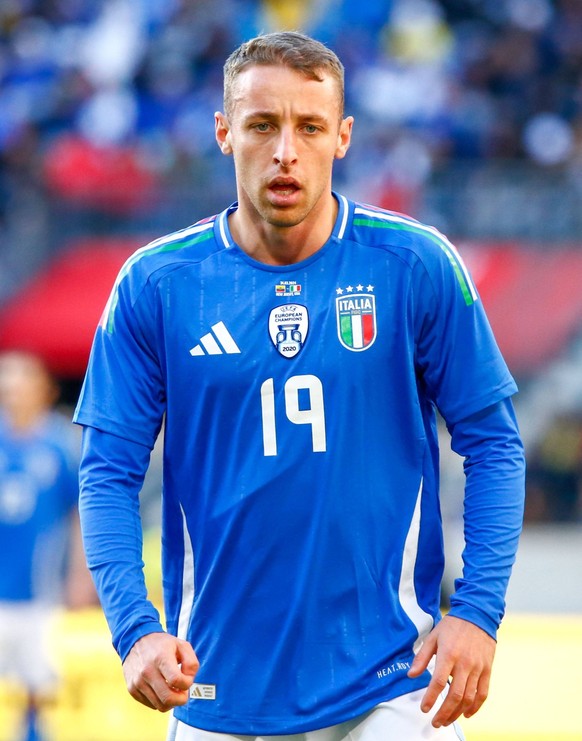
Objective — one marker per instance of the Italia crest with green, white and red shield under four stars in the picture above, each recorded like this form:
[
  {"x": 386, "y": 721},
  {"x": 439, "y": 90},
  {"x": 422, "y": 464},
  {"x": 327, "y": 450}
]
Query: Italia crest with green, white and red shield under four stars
[{"x": 356, "y": 318}]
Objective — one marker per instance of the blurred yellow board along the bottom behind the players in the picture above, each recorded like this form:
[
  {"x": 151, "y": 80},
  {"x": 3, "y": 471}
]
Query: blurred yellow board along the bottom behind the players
[{"x": 534, "y": 692}]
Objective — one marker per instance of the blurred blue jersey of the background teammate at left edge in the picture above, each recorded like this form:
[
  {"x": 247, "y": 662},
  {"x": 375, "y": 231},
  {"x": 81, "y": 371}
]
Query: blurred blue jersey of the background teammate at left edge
[{"x": 38, "y": 490}]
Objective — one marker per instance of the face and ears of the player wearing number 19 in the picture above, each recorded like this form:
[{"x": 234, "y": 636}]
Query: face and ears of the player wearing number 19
[{"x": 284, "y": 132}]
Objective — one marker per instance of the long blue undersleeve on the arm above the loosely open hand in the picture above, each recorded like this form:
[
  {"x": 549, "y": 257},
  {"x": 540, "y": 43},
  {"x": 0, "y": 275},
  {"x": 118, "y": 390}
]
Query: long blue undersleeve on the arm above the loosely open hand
[{"x": 494, "y": 468}]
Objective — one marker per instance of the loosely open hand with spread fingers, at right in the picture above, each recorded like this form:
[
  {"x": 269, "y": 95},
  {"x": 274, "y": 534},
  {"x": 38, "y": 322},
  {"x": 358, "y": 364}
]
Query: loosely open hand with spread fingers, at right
[{"x": 464, "y": 652}]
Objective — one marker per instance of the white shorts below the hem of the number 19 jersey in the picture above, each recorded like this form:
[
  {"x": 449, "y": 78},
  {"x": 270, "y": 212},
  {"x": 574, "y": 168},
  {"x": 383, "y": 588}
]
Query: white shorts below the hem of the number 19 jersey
[{"x": 396, "y": 720}]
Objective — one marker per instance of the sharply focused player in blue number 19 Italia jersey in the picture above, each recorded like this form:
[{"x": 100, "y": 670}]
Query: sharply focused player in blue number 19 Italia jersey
[{"x": 295, "y": 348}]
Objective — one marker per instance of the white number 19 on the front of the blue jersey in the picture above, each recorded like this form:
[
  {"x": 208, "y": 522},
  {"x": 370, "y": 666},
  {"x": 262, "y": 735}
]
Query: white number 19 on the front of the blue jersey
[{"x": 314, "y": 415}]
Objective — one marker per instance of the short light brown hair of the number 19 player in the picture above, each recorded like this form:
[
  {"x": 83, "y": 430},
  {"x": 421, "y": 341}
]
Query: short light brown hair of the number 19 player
[{"x": 287, "y": 48}]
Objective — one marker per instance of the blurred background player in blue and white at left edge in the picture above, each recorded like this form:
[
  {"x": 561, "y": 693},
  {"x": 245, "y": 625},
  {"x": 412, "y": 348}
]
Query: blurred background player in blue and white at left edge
[{"x": 39, "y": 531}]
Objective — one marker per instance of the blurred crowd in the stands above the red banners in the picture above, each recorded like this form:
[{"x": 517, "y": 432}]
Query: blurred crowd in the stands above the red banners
[{"x": 107, "y": 105}]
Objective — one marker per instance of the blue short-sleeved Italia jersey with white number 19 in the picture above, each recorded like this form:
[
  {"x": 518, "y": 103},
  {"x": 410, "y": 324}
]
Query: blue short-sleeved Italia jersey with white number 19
[{"x": 302, "y": 540}]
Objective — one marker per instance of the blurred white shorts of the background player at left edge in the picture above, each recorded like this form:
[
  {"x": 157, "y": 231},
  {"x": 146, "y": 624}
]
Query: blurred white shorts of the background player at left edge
[{"x": 24, "y": 654}]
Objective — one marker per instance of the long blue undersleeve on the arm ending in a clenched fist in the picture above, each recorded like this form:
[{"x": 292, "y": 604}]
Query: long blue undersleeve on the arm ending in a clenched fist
[{"x": 111, "y": 475}]
